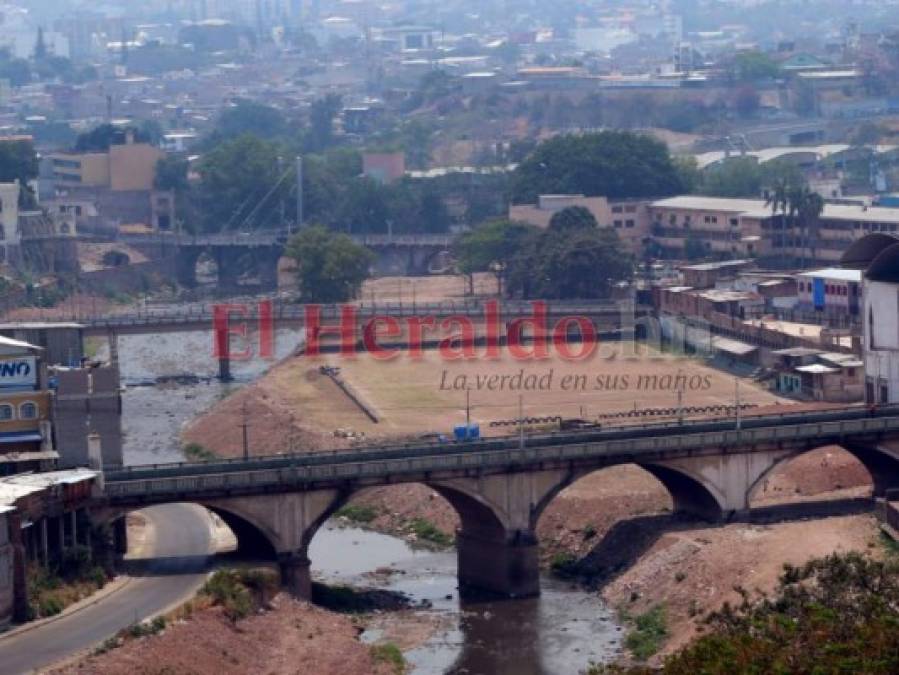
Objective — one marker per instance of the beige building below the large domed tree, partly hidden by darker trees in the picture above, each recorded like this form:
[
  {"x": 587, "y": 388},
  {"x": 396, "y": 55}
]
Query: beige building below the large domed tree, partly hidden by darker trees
[{"x": 629, "y": 218}]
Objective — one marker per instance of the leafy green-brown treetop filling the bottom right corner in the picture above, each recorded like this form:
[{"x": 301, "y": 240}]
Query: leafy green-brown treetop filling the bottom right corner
[{"x": 833, "y": 615}]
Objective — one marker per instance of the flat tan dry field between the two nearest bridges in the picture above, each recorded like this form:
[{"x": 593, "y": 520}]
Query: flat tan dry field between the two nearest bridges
[{"x": 429, "y": 395}]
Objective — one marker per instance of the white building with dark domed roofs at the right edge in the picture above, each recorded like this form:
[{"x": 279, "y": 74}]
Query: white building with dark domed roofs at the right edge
[{"x": 877, "y": 255}]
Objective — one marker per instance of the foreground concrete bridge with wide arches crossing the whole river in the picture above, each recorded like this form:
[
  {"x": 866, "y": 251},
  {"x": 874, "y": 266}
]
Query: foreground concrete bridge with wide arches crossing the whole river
[{"x": 500, "y": 487}]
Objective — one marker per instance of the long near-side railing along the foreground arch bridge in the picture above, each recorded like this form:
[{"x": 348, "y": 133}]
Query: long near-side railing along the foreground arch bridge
[{"x": 627, "y": 450}]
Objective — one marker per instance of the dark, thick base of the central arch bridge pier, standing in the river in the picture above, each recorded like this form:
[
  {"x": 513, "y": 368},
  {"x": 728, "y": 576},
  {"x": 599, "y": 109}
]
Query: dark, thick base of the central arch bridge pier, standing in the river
[{"x": 506, "y": 568}]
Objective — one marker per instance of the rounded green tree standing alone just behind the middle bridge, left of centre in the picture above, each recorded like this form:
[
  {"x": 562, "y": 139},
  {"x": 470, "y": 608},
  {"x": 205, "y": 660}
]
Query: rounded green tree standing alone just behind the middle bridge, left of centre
[{"x": 331, "y": 268}]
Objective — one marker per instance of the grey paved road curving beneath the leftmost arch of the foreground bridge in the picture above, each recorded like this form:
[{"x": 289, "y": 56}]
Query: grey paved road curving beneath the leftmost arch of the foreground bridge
[{"x": 180, "y": 556}]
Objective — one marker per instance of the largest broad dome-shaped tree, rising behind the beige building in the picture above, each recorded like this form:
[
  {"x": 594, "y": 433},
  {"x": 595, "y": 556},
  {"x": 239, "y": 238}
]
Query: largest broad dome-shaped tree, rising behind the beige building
[{"x": 614, "y": 164}]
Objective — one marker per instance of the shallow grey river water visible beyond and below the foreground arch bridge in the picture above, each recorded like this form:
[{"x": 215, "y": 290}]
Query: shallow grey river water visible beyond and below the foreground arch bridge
[{"x": 559, "y": 633}]
